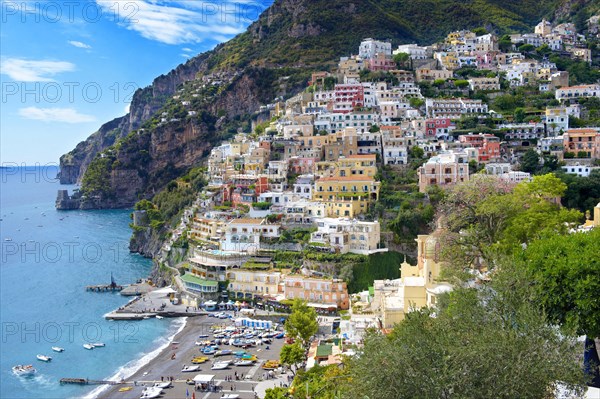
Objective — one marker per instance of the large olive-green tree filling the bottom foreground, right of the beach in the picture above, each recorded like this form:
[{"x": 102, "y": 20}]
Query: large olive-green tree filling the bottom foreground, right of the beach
[{"x": 482, "y": 343}]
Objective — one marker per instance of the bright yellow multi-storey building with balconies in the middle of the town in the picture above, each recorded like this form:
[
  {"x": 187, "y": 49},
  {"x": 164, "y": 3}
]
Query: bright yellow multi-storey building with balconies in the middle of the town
[{"x": 348, "y": 195}]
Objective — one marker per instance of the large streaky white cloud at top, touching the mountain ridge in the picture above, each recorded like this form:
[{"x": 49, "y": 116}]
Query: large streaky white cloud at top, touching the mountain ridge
[{"x": 180, "y": 22}]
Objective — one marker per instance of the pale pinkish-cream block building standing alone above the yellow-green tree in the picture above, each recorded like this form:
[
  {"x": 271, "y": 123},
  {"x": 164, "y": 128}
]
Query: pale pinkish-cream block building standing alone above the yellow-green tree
[{"x": 444, "y": 170}]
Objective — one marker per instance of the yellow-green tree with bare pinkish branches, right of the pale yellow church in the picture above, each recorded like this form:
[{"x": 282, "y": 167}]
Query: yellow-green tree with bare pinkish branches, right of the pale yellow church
[{"x": 486, "y": 217}]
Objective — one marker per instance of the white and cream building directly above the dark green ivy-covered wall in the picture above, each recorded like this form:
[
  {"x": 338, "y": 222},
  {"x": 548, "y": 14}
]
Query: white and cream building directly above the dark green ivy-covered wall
[{"x": 342, "y": 235}]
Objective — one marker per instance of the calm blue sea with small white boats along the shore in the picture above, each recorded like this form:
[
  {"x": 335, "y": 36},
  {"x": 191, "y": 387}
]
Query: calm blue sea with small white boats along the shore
[{"x": 48, "y": 257}]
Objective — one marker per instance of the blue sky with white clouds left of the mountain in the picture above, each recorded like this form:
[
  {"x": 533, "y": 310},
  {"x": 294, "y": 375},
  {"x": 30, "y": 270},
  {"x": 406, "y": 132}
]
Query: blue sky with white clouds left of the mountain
[{"x": 66, "y": 67}]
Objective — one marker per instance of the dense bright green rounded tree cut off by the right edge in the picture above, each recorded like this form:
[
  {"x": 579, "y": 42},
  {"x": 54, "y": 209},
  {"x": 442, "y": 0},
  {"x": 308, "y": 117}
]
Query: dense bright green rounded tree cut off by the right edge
[{"x": 566, "y": 271}]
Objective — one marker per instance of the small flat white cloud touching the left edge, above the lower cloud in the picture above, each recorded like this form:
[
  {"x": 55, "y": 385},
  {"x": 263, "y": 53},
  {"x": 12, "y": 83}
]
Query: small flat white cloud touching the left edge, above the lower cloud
[{"x": 33, "y": 71}]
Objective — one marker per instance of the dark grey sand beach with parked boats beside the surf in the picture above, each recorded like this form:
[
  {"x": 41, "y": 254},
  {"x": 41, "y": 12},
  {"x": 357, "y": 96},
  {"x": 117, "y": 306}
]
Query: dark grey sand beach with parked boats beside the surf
[{"x": 250, "y": 380}]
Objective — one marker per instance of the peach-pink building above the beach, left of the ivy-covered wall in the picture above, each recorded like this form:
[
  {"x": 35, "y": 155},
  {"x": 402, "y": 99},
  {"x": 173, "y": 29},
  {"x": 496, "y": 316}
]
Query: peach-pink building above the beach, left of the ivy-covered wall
[{"x": 320, "y": 293}]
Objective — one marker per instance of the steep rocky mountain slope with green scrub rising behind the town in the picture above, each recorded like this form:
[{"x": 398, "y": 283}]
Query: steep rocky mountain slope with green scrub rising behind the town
[{"x": 272, "y": 58}]
